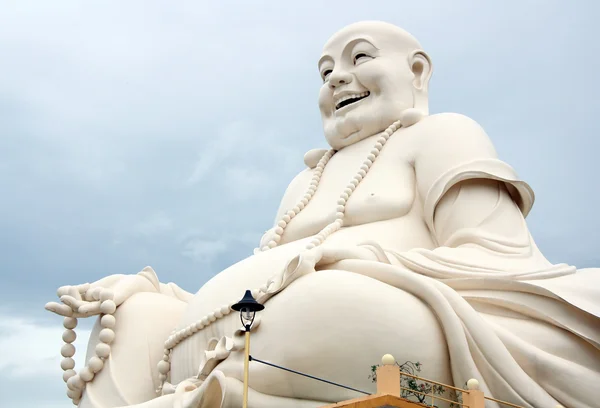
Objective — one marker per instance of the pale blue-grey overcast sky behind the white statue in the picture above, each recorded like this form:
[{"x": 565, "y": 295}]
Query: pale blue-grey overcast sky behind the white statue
[{"x": 163, "y": 133}]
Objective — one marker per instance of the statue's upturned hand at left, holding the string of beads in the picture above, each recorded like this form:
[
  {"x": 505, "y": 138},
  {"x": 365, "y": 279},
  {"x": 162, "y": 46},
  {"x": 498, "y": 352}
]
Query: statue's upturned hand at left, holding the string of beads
[{"x": 85, "y": 300}]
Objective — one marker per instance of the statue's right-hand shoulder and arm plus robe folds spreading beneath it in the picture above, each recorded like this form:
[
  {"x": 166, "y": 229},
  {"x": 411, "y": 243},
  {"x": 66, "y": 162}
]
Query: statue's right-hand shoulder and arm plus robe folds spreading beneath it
[{"x": 475, "y": 207}]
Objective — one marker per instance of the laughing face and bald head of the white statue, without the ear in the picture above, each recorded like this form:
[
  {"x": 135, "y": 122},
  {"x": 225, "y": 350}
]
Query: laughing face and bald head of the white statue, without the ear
[{"x": 368, "y": 81}]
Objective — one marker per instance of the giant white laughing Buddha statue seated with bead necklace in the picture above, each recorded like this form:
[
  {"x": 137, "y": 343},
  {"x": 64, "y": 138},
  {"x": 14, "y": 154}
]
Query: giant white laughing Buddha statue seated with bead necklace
[{"x": 407, "y": 236}]
